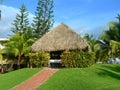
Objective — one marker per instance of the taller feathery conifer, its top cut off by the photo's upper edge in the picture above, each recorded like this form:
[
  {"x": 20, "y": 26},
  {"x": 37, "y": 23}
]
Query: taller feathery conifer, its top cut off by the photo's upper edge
[{"x": 43, "y": 19}]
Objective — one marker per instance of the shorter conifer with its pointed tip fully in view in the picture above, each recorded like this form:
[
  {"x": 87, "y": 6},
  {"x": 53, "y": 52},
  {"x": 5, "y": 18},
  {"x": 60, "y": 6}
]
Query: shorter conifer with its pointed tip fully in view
[{"x": 21, "y": 23}]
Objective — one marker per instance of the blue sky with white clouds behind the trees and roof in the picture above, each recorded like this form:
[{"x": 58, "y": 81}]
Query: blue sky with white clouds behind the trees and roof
[{"x": 83, "y": 16}]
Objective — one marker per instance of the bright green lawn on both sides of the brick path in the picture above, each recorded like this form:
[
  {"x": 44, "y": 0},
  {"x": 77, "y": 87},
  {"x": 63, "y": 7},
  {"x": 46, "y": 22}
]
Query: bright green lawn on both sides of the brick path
[{"x": 96, "y": 77}]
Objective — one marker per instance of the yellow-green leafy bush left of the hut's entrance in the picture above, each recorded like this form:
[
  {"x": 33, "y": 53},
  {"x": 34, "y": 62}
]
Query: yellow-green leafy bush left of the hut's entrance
[{"x": 39, "y": 59}]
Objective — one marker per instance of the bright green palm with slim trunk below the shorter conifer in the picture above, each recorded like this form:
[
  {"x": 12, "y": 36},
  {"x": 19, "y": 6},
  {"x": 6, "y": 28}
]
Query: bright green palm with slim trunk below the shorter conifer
[{"x": 18, "y": 46}]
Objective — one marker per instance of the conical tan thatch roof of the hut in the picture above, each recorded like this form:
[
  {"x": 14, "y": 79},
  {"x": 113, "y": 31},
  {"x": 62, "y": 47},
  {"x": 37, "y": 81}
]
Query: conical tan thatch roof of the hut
[{"x": 60, "y": 38}]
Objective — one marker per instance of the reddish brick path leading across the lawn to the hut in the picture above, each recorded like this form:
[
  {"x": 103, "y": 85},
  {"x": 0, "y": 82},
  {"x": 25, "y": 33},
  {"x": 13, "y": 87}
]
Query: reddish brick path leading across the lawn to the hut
[{"x": 37, "y": 80}]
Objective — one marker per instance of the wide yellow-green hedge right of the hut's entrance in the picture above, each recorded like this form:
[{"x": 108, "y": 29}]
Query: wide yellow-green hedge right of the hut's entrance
[{"x": 78, "y": 59}]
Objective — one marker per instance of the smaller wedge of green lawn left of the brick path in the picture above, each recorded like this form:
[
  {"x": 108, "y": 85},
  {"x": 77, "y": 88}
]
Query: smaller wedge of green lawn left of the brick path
[{"x": 11, "y": 79}]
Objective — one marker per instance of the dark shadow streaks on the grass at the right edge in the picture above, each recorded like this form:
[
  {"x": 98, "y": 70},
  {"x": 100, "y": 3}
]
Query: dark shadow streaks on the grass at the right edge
[{"x": 112, "y": 71}]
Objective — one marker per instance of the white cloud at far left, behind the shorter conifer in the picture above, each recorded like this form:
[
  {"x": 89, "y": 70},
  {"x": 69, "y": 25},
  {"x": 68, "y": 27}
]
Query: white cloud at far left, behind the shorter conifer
[{"x": 8, "y": 15}]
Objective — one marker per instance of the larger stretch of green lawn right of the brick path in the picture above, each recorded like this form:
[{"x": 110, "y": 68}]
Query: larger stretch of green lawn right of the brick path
[{"x": 96, "y": 77}]
